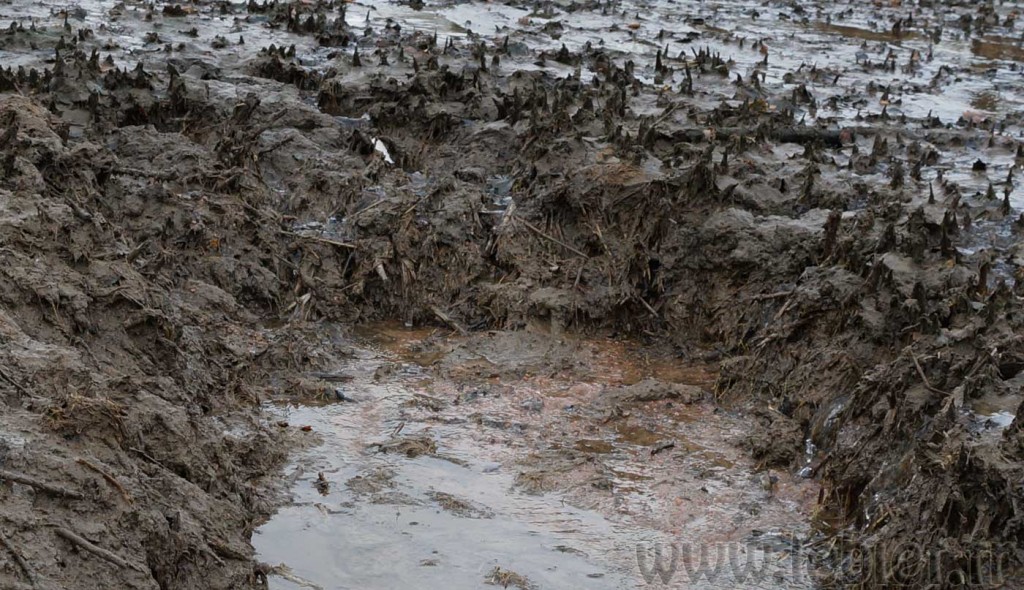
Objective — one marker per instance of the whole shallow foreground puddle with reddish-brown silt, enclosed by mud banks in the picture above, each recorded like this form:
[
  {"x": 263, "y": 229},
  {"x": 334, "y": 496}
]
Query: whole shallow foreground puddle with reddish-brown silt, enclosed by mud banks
[{"x": 428, "y": 481}]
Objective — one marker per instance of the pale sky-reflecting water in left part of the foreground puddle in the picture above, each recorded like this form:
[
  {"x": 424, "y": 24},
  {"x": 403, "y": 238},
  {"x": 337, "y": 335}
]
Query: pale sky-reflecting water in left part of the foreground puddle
[{"x": 397, "y": 534}]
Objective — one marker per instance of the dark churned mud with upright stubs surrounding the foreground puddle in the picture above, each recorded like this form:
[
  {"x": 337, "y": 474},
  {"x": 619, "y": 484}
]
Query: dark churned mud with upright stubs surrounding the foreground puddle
[{"x": 157, "y": 218}]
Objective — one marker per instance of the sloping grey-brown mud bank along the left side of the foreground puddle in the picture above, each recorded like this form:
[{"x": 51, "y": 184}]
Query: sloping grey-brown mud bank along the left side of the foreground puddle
[{"x": 134, "y": 359}]
